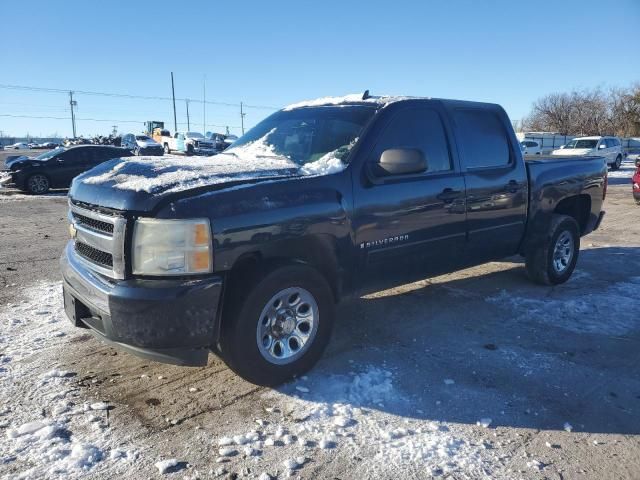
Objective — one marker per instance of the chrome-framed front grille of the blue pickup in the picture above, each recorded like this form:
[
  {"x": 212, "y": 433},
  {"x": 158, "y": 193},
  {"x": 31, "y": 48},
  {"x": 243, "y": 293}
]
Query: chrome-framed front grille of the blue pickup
[{"x": 99, "y": 240}]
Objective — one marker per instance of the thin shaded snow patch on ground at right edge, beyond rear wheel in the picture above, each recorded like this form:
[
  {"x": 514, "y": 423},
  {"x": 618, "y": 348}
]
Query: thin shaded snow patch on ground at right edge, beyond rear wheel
[{"x": 603, "y": 312}]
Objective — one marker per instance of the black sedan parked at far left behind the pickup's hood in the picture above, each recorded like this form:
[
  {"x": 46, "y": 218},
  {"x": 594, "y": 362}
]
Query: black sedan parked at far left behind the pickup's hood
[{"x": 55, "y": 168}]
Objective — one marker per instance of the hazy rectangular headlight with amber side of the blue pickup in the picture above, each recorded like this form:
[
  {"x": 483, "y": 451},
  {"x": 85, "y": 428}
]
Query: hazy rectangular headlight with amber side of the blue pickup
[{"x": 172, "y": 247}]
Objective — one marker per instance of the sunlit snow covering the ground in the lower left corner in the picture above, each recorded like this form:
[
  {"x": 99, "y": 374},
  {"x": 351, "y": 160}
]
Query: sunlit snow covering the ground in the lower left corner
[{"x": 45, "y": 427}]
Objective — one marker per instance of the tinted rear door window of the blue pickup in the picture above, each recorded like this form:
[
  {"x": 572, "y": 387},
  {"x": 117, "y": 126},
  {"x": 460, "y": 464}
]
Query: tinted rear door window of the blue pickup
[{"x": 483, "y": 138}]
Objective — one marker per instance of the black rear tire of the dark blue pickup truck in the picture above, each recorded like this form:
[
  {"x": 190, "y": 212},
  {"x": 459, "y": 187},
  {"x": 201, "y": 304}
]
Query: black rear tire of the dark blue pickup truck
[{"x": 541, "y": 261}]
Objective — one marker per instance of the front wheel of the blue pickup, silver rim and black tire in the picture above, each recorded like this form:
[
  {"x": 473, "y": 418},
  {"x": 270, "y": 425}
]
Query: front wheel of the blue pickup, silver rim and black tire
[{"x": 280, "y": 327}]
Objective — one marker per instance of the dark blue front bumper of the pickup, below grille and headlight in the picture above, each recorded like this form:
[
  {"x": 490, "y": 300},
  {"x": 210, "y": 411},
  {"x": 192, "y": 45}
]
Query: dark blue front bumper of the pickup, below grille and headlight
[{"x": 169, "y": 321}]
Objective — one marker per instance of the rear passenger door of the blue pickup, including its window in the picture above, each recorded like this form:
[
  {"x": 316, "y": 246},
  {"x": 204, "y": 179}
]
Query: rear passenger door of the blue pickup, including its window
[{"x": 496, "y": 182}]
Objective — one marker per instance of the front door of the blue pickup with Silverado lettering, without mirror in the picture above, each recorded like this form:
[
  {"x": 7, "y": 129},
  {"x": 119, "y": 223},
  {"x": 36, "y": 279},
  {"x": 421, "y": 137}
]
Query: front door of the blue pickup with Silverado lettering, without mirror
[{"x": 411, "y": 225}]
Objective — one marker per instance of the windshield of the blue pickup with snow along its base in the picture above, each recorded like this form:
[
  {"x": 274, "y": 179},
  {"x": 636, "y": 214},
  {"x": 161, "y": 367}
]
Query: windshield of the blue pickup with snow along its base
[{"x": 305, "y": 135}]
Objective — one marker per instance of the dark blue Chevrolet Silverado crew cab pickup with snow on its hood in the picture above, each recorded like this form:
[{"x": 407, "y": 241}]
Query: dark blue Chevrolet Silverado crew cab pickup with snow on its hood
[{"x": 246, "y": 253}]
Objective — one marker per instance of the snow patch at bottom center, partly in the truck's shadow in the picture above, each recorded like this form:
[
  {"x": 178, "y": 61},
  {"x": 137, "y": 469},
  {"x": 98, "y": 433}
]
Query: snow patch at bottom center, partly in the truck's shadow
[{"x": 341, "y": 414}]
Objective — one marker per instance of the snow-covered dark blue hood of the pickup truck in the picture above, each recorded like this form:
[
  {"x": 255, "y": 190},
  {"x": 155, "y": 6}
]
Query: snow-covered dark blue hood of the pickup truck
[{"x": 141, "y": 184}]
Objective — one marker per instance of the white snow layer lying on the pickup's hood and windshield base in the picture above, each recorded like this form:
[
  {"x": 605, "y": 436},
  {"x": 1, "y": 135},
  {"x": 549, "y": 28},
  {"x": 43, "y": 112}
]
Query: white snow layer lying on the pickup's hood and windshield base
[{"x": 253, "y": 160}]
